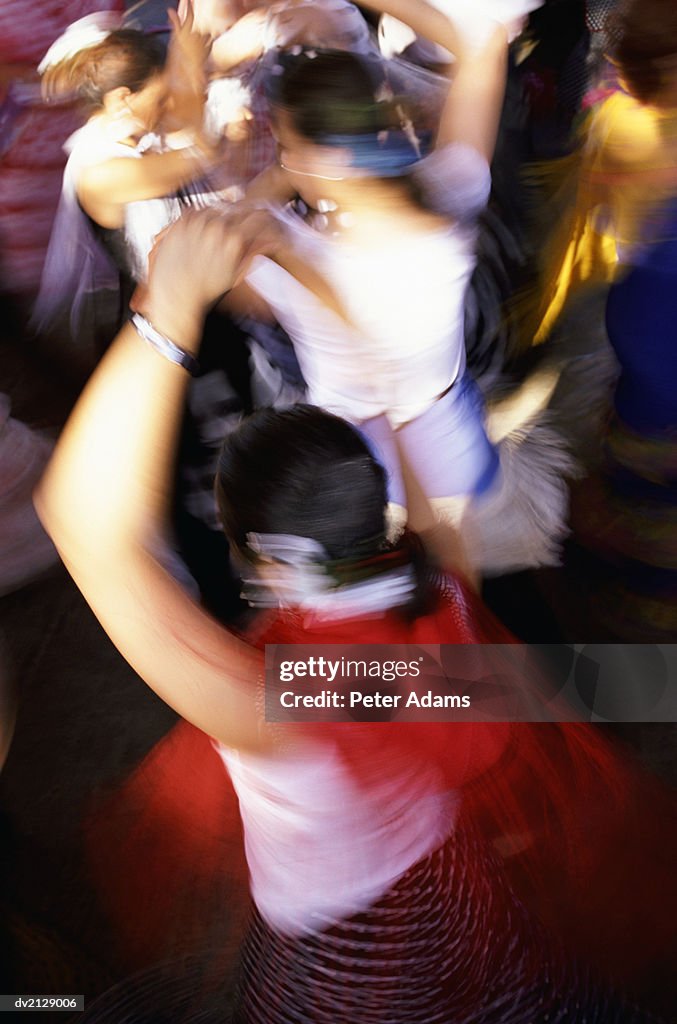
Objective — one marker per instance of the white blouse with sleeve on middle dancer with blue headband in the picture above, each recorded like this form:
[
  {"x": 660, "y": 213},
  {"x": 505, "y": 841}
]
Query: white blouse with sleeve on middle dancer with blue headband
[{"x": 405, "y": 300}]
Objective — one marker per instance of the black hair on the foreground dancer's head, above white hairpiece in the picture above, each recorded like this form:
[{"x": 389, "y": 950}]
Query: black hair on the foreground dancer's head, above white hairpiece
[{"x": 302, "y": 472}]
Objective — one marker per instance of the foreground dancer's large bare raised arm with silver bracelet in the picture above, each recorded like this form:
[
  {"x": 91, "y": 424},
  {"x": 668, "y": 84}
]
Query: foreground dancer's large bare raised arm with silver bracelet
[{"x": 105, "y": 497}]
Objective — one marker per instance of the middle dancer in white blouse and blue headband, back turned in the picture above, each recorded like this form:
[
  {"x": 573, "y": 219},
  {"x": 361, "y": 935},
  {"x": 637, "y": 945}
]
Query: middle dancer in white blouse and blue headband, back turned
[{"x": 395, "y": 236}]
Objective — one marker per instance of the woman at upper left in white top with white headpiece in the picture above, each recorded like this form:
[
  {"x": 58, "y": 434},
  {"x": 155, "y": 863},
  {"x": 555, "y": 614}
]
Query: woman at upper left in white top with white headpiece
[{"x": 129, "y": 177}]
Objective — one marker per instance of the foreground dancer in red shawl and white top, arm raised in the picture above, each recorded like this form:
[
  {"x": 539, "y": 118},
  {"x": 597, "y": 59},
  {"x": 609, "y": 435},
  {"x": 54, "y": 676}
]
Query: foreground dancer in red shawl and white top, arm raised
[{"x": 376, "y": 900}]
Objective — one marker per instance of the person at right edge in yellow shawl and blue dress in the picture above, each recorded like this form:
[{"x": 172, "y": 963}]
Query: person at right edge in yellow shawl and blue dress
[{"x": 626, "y": 517}]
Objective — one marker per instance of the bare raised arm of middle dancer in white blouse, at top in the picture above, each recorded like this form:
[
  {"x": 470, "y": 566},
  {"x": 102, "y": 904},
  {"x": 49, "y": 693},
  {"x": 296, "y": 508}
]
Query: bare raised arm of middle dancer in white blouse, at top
[{"x": 474, "y": 106}]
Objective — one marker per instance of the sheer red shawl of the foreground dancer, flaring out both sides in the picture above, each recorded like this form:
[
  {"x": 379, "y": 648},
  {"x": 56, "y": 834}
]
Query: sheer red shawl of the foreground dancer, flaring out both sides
[{"x": 588, "y": 839}]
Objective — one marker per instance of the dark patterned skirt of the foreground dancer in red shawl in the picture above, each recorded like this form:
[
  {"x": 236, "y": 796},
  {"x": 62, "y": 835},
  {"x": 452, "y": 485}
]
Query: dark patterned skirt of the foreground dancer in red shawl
[{"x": 448, "y": 945}]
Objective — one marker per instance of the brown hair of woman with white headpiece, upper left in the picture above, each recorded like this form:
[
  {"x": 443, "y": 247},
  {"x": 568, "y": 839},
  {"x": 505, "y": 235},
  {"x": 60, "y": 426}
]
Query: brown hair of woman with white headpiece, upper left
[{"x": 125, "y": 58}]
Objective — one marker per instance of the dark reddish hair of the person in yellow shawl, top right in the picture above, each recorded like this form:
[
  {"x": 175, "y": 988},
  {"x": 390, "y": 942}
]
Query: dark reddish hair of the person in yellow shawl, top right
[{"x": 646, "y": 46}]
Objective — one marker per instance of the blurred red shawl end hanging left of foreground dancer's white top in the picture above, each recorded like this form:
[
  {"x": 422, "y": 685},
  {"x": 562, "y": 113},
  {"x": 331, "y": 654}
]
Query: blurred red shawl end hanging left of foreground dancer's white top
[{"x": 166, "y": 855}]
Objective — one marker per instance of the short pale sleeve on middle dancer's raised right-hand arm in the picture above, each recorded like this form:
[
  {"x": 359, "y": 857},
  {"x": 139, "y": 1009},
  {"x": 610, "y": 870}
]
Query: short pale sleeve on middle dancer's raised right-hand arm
[{"x": 456, "y": 182}]
